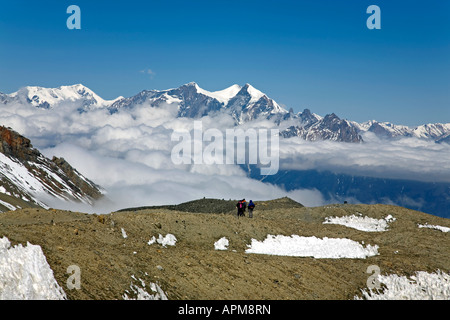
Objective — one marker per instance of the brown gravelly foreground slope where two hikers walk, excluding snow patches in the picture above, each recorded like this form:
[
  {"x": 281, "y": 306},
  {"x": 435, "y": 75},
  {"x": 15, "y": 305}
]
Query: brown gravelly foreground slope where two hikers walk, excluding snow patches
[{"x": 115, "y": 257}]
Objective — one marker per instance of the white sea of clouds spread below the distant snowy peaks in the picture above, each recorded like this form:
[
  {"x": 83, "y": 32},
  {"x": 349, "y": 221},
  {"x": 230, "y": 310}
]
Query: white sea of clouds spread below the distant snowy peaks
[{"x": 128, "y": 153}]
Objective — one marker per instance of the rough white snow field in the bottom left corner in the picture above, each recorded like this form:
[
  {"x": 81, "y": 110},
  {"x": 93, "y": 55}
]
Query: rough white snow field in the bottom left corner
[{"x": 25, "y": 274}]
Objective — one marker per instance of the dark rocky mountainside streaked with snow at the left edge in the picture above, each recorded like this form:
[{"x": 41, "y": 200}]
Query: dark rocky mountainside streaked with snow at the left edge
[{"x": 26, "y": 174}]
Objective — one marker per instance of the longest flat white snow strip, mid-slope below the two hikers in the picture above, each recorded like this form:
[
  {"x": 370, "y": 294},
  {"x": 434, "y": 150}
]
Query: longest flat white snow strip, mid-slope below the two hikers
[{"x": 311, "y": 247}]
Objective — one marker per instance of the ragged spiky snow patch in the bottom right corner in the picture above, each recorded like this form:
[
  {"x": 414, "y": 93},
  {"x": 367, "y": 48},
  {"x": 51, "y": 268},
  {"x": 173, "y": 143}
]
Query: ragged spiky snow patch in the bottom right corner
[{"x": 422, "y": 286}]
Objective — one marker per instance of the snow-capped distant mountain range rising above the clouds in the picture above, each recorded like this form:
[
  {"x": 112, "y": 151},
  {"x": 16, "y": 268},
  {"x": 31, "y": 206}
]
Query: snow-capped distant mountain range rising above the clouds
[{"x": 243, "y": 103}]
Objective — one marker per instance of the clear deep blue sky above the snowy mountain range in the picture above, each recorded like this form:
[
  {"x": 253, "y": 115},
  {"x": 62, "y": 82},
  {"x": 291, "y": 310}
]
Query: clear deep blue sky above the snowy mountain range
[{"x": 313, "y": 54}]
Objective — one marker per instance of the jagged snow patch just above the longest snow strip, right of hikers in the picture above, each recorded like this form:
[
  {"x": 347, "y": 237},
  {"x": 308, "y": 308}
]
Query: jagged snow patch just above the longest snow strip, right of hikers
[{"x": 362, "y": 223}]
